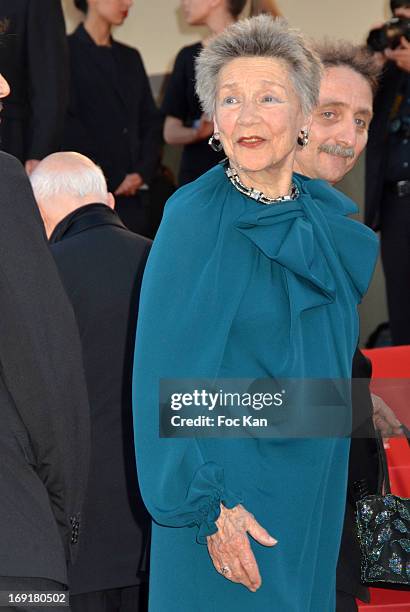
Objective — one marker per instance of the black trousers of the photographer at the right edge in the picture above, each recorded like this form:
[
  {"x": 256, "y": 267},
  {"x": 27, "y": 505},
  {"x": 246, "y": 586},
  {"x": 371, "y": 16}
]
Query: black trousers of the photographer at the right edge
[{"x": 395, "y": 250}]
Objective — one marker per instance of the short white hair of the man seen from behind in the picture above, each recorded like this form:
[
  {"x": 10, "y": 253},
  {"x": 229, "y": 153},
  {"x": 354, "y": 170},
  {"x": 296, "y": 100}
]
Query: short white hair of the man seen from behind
[{"x": 79, "y": 181}]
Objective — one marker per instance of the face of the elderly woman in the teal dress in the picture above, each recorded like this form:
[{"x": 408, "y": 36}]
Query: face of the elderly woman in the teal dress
[{"x": 257, "y": 113}]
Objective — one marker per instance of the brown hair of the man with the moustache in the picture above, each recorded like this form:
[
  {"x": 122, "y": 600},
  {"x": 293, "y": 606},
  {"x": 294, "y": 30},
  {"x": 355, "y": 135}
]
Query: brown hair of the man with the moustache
[{"x": 355, "y": 57}]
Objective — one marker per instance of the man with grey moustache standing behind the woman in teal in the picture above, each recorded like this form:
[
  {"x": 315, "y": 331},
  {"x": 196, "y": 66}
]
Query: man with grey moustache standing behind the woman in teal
[{"x": 337, "y": 137}]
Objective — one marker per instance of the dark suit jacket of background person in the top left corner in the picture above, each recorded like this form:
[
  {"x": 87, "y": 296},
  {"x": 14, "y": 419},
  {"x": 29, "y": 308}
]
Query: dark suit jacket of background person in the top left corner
[{"x": 33, "y": 59}]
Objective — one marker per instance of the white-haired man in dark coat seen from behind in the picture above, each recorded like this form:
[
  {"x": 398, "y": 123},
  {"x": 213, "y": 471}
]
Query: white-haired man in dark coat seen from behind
[{"x": 101, "y": 265}]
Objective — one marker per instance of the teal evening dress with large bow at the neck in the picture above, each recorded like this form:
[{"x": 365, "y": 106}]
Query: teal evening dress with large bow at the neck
[{"x": 234, "y": 288}]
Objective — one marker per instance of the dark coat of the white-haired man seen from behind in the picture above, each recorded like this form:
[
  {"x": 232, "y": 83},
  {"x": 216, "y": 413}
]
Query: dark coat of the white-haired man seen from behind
[{"x": 101, "y": 265}]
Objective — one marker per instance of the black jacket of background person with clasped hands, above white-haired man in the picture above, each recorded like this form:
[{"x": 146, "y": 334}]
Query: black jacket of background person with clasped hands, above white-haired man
[{"x": 112, "y": 117}]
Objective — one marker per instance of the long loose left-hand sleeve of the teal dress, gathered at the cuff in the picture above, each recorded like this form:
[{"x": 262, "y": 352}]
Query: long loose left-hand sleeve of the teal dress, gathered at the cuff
[{"x": 187, "y": 489}]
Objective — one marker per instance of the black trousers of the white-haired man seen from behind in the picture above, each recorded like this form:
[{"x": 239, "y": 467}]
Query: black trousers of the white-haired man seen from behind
[{"x": 126, "y": 599}]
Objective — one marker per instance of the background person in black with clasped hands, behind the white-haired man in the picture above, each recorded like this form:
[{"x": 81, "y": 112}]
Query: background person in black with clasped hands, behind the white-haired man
[{"x": 112, "y": 117}]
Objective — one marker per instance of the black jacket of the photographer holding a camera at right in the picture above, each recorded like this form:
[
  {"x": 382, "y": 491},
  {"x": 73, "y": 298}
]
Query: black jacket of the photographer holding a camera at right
[{"x": 390, "y": 85}]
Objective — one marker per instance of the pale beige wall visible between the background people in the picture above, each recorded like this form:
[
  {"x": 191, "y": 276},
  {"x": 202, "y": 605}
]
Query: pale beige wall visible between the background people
[{"x": 158, "y": 30}]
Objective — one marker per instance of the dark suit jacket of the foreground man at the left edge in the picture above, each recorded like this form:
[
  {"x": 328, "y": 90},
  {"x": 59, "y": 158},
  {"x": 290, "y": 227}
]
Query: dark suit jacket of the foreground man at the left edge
[{"x": 44, "y": 430}]
